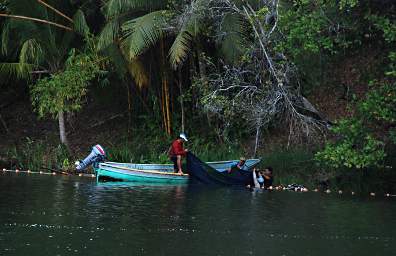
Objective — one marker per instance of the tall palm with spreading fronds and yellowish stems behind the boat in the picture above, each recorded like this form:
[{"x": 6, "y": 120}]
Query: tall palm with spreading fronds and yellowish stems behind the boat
[{"x": 137, "y": 26}]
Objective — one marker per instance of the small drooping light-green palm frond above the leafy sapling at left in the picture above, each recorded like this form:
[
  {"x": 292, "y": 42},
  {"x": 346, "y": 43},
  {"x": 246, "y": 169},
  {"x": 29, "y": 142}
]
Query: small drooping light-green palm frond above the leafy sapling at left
[{"x": 31, "y": 52}]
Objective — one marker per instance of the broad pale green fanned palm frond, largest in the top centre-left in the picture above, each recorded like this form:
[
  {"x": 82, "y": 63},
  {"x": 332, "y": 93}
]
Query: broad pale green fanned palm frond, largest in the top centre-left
[{"x": 143, "y": 32}]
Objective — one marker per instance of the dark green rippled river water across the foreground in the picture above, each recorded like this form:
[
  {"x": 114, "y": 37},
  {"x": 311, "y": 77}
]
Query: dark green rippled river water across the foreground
[{"x": 61, "y": 215}]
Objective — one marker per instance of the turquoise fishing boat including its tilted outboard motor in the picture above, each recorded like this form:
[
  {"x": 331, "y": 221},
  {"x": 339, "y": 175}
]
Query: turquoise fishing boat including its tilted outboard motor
[{"x": 154, "y": 173}]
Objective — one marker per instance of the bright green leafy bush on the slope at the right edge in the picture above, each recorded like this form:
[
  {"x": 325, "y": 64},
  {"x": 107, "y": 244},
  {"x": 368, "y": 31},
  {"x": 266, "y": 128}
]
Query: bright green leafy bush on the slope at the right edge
[{"x": 368, "y": 137}]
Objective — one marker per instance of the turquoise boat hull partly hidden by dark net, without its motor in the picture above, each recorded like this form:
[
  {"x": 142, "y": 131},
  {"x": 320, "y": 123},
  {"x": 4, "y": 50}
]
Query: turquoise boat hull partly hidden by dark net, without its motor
[{"x": 156, "y": 173}]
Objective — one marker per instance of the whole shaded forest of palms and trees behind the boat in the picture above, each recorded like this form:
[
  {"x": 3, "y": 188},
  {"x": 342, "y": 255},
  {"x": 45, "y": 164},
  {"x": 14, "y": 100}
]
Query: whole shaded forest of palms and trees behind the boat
[{"x": 308, "y": 86}]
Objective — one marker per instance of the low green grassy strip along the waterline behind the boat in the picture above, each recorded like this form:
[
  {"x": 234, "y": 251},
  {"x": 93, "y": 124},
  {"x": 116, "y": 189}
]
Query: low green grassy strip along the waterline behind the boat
[{"x": 296, "y": 165}]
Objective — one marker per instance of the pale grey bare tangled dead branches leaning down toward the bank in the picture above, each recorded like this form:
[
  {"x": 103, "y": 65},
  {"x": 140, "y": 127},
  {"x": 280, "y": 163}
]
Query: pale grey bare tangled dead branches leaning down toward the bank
[{"x": 266, "y": 89}]
